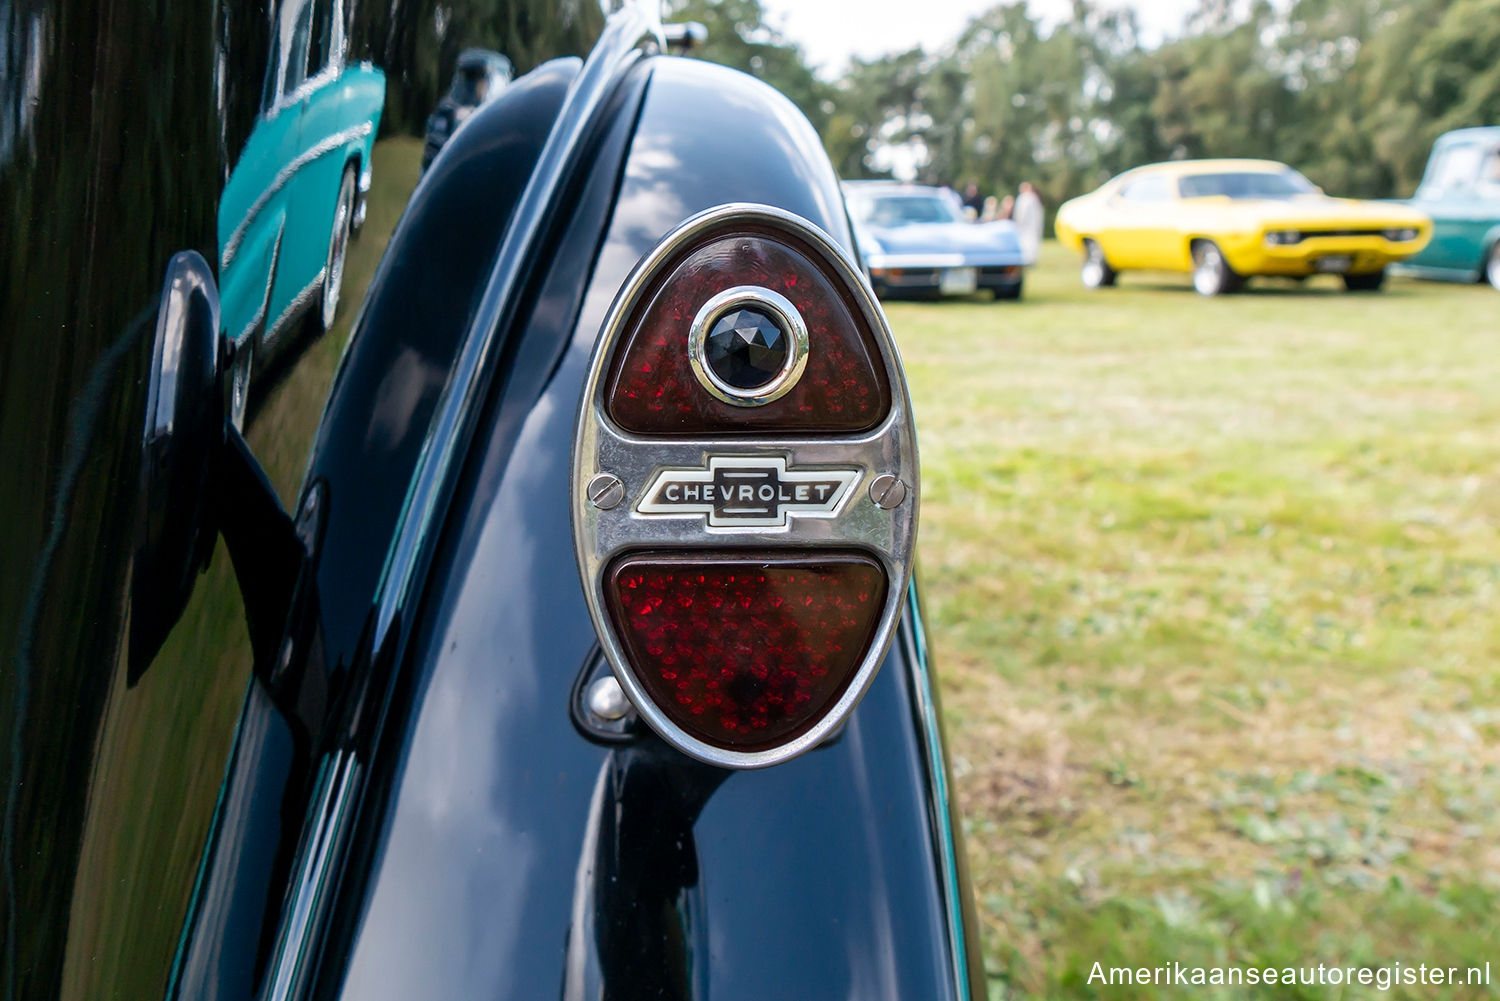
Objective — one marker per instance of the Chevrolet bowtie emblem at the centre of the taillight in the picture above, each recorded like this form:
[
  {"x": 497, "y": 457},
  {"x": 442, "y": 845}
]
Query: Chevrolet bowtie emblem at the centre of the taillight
[{"x": 748, "y": 493}]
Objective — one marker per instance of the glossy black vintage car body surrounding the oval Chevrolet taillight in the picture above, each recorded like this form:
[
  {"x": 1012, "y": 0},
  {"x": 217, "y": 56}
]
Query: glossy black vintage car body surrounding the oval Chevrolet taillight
[{"x": 406, "y": 796}]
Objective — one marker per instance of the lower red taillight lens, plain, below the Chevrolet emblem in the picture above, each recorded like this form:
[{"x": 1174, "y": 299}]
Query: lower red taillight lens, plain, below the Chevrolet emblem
[{"x": 745, "y": 651}]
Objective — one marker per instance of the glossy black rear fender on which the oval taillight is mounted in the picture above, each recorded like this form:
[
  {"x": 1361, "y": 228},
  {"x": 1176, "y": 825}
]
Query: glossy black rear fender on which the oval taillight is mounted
[{"x": 494, "y": 838}]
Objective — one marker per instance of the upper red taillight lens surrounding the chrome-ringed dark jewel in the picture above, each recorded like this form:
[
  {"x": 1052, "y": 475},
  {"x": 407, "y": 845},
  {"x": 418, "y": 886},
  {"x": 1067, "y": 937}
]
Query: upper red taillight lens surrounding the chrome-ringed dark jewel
[{"x": 653, "y": 391}]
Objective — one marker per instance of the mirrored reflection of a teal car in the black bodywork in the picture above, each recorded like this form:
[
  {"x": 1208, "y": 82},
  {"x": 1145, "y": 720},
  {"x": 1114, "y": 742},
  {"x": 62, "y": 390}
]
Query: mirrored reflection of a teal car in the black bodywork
[{"x": 299, "y": 187}]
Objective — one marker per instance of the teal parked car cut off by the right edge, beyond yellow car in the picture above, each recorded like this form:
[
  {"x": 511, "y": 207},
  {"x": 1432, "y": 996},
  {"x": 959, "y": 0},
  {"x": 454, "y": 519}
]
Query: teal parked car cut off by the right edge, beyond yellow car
[{"x": 1462, "y": 193}]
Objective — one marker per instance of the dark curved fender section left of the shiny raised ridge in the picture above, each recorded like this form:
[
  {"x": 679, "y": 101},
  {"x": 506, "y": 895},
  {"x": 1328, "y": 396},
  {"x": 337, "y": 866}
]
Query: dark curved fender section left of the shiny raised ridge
[{"x": 403, "y": 347}]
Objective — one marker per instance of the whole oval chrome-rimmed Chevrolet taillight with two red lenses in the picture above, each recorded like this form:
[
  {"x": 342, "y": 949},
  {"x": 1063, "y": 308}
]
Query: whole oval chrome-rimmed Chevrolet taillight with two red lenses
[{"x": 745, "y": 487}]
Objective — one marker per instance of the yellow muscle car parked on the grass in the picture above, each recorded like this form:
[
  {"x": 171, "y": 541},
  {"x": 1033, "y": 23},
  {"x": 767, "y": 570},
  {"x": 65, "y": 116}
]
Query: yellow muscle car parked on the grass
[{"x": 1225, "y": 221}]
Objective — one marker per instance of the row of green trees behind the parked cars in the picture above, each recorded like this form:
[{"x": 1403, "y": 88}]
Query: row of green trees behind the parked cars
[{"x": 1349, "y": 92}]
